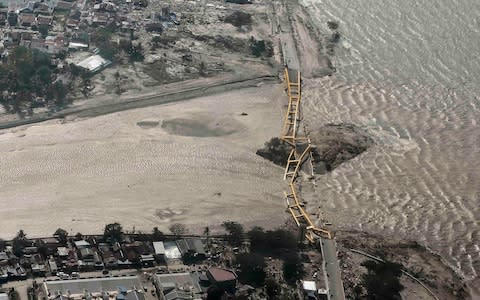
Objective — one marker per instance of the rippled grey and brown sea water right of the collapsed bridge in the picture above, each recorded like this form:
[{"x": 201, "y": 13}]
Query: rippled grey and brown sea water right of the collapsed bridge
[{"x": 413, "y": 80}]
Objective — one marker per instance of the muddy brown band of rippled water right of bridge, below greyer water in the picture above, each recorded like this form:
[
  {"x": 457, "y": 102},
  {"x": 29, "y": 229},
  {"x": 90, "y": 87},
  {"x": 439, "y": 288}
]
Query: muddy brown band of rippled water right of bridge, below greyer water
[{"x": 419, "y": 181}]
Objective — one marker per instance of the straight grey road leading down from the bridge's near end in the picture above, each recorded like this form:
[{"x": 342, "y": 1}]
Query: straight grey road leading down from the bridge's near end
[{"x": 332, "y": 270}]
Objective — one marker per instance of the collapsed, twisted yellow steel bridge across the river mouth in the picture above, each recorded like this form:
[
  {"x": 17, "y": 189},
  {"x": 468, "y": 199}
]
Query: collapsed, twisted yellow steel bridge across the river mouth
[{"x": 301, "y": 150}]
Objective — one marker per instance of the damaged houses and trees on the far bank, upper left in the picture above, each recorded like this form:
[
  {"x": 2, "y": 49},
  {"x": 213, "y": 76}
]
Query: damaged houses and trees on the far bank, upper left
[{"x": 80, "y": 38}]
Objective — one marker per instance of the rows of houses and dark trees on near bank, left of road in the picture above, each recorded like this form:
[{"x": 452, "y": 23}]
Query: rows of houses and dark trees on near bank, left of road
[{"x": 237, "y": 265}]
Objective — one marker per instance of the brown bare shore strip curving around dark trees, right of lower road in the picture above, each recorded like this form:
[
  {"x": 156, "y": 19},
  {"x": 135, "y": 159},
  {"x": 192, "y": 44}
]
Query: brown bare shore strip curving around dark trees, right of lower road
[{"x": 429, "y": 267}]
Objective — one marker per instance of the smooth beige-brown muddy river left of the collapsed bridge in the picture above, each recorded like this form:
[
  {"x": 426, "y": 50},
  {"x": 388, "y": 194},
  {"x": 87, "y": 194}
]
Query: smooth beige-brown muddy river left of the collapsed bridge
[{"x": 191, "y": 162}]
